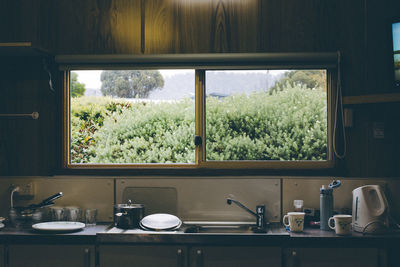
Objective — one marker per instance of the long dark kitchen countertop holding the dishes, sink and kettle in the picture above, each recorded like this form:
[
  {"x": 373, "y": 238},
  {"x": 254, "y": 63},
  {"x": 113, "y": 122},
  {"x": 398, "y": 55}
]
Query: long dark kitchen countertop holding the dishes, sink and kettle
[{"x": 276, "y": 236}]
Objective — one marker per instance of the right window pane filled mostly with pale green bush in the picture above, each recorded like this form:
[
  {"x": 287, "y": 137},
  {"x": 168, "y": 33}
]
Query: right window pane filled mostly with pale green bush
[{"x": 266, "y": 115}]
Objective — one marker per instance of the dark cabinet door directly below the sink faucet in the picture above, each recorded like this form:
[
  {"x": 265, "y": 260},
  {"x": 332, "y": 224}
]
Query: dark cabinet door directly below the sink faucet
[{"x": 217, "y": 256}]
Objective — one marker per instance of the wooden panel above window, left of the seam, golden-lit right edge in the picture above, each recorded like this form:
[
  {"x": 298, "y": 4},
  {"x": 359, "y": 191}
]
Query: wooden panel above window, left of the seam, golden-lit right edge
[{"x": 98, "y": 27}]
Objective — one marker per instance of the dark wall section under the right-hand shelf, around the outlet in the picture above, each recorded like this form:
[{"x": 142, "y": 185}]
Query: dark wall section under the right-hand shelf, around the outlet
[{"x": 373, "y": 157}]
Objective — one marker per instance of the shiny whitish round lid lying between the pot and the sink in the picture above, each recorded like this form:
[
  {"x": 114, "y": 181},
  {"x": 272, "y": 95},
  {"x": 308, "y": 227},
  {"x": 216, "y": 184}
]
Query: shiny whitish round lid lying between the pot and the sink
[{"x": 161, "y": 221}]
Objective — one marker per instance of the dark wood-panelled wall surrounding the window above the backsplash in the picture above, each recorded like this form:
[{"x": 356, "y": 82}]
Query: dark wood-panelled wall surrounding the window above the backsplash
[{"x": 357, "y": 28}]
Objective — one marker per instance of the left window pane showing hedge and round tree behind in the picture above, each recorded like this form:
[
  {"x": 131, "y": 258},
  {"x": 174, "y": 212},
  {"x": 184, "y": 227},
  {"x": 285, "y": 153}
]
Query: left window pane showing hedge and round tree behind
[{"x": 132, "y": 116}]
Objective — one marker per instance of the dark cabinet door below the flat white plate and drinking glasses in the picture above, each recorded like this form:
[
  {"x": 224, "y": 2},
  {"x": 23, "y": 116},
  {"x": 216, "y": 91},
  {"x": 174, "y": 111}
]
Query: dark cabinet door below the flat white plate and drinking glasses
[{"x": 51, "y": 255}]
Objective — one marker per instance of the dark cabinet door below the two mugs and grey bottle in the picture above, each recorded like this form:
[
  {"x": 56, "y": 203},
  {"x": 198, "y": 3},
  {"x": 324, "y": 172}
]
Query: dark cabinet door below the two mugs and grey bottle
[{"x": 332, "y": 257}]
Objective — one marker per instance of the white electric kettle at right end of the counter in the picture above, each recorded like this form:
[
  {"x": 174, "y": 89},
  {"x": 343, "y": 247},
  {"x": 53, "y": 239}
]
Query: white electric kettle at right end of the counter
[{"x": 370, "y": 209}]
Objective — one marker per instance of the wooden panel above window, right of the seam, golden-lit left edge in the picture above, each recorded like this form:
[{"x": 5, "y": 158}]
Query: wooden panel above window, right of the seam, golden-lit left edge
[{"x": 201, "y": 26}]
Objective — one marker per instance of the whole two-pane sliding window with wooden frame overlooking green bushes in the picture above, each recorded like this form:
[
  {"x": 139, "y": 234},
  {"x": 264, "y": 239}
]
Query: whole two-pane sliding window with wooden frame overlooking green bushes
[{"x": 244, "y": 114}]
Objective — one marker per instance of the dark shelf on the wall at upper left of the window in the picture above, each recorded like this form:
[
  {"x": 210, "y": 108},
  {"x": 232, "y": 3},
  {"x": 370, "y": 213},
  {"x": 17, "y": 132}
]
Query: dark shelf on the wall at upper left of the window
[{"x": 19, "y": 49}]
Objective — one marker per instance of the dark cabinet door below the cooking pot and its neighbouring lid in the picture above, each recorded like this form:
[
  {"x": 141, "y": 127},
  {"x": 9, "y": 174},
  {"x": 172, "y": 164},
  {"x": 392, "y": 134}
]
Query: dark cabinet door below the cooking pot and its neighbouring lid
[{"x": 142, "y": 256}]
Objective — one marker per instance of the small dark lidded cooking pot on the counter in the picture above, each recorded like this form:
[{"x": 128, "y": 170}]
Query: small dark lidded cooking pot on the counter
[{"x": 128, "y": 216}]
